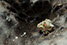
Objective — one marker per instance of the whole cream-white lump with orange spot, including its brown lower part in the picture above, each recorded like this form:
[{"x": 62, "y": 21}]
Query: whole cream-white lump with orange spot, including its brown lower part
[{"x": 45, "y": 26}]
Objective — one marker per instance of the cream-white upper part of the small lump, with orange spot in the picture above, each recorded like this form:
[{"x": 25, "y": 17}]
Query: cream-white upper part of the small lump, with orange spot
[{"x": 46, "y": 24}]
